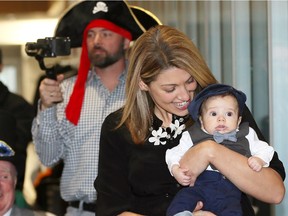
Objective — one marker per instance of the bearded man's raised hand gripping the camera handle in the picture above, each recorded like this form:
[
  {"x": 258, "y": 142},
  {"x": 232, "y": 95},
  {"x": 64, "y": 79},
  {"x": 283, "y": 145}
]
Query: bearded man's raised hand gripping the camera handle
[{"x": 50, "y": 92}]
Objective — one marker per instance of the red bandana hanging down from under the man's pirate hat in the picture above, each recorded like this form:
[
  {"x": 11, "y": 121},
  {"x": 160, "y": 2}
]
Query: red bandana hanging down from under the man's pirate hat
[{"x": 74, "y": 105}]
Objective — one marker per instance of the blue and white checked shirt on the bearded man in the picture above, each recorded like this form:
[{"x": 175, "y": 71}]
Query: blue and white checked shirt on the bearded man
[{"x": 56, "y": 138}]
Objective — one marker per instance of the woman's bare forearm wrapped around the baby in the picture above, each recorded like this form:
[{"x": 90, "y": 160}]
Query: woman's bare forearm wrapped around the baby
[{"x": 266, "y": 185}]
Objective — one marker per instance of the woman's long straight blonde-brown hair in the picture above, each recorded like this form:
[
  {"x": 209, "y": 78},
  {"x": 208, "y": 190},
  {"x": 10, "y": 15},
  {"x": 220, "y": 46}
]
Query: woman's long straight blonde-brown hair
[{"x": 156, "y": 50}]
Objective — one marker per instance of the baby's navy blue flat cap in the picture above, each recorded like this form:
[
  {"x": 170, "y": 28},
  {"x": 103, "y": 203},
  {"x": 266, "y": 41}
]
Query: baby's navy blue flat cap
[{"x": 214, "y": 90}]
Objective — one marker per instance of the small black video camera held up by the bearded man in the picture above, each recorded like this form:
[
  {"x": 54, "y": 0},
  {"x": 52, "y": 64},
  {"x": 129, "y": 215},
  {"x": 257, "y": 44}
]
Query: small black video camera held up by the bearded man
[{"x": 48, "y": 47}]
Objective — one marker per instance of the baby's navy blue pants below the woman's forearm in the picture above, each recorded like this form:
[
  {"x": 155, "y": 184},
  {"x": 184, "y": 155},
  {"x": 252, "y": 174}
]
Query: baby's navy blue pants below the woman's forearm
[{"x": 217, "y": 193}]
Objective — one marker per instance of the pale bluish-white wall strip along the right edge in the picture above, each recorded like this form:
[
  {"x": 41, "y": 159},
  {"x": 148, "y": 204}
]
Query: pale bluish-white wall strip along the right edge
[{"x": 278, "y": 85}]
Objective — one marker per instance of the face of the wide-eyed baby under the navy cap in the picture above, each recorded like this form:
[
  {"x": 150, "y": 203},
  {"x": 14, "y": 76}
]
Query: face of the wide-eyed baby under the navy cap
[{"x": 220, "y": 113}]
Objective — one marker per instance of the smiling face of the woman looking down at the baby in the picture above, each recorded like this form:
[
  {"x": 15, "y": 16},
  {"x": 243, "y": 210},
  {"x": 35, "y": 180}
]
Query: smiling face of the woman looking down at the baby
[{"x": 172, "y": 91}]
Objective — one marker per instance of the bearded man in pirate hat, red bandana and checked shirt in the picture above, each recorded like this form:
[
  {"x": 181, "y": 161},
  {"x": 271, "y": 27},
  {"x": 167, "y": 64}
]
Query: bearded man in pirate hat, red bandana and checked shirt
[{"x": 71, "y": 111}]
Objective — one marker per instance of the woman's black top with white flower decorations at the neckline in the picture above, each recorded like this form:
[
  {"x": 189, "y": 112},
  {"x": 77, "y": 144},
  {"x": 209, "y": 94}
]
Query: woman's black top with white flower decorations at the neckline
[{"x": 136, "y": 178}]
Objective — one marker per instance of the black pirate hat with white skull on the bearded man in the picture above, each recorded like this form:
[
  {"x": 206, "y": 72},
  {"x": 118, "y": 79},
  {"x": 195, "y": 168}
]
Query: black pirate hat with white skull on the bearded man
[{"x": 79, "y": 15}]
